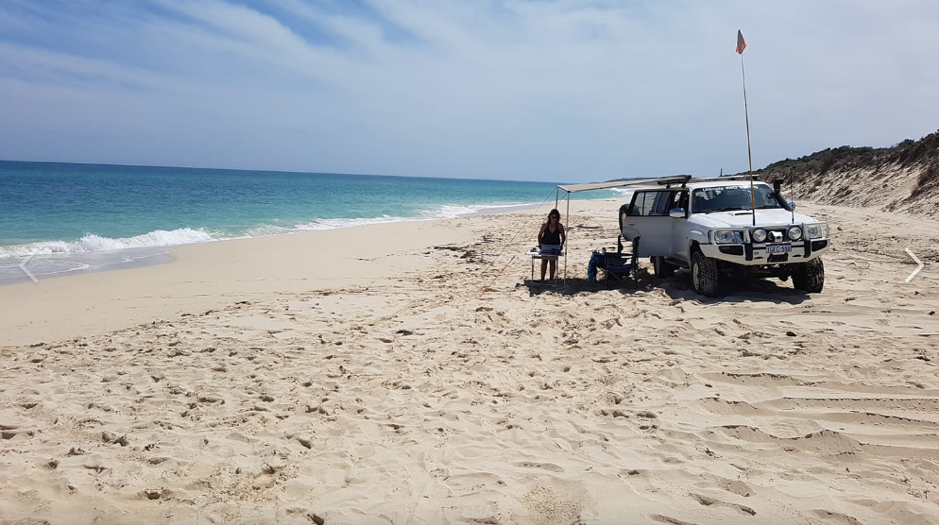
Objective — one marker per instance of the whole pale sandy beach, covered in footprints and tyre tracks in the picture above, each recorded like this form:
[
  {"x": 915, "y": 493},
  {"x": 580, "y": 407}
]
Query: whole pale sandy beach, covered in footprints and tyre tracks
[{"x": 369, "y": 376}]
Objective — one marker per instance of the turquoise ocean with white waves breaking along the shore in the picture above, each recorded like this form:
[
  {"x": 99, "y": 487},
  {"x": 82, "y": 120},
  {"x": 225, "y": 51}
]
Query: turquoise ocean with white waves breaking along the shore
[{"x": 66, "y": 218}]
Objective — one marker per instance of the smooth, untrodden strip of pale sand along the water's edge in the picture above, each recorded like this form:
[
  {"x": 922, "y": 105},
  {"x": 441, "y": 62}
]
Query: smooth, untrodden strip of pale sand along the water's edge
[{"x": 211, "y": 274}]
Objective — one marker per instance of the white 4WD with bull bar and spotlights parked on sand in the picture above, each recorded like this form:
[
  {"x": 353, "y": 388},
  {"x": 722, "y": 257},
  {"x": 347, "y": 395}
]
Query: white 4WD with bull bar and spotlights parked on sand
[{"x": 707, "y": 225}]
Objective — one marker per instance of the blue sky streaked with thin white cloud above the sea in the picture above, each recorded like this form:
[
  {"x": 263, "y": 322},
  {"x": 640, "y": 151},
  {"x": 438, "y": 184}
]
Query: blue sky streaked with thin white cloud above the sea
[{"x": 570, "y": 90}]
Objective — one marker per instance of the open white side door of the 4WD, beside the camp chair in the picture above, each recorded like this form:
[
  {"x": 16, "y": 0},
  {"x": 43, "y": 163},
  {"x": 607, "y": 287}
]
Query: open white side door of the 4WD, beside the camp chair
[{"x": 647, "y": 217}]
